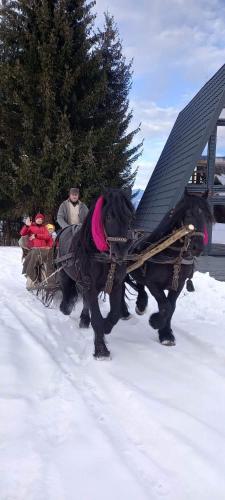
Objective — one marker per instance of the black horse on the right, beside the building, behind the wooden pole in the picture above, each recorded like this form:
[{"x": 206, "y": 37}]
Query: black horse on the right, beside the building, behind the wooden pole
[{"x": 170, "y": 269}]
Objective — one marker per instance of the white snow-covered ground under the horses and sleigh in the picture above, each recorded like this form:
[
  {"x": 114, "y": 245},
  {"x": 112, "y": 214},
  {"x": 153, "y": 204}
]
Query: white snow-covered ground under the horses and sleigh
[{"x": 147, "y": 425}]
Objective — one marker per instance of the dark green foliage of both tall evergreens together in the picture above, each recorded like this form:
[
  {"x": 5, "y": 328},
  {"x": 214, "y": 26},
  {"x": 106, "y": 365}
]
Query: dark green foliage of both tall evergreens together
[{"x": 63, "y": 104}]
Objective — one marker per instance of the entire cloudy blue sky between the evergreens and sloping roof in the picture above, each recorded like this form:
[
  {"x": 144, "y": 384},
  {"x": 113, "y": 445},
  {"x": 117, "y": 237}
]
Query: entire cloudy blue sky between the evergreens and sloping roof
[{"x": 177, "y": 45}]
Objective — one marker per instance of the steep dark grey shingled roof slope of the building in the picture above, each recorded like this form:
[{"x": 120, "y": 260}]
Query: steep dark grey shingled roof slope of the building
[{"x": 184, "y": 146}]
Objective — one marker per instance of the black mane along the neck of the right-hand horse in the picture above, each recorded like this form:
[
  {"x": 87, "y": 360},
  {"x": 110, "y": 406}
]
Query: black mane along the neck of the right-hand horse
[{"x": 173, "y": 217}]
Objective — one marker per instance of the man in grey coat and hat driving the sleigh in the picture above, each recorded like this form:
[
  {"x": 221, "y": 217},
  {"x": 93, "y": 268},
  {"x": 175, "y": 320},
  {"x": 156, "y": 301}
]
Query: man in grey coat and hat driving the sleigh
[{"x": 72, "y": 210}]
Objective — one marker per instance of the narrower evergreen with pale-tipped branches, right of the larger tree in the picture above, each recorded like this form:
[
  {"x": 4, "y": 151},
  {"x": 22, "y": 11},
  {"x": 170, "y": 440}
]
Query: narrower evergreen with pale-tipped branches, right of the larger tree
[{"x": 114, "y": 153}]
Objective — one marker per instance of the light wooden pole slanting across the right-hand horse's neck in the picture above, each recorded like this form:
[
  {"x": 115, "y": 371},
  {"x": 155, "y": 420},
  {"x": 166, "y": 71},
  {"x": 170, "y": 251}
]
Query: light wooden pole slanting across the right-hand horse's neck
[{"x": 160, "y": 247}]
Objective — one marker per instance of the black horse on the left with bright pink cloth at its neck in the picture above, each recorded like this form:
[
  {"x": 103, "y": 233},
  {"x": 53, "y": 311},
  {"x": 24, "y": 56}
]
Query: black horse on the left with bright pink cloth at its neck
[{"x": 90, "y": 270}]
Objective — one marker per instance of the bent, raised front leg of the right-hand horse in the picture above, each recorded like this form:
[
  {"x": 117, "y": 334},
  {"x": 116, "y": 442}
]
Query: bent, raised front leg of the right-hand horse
[{"x": 158, "y": 320}]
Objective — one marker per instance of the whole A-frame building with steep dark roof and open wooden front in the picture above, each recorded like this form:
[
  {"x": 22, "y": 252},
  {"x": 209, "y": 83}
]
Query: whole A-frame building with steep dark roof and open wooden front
[{"x": 181, "y": 163}]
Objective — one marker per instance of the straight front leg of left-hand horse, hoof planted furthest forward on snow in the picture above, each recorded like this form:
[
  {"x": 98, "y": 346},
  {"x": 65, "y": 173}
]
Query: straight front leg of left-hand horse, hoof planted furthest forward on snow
[{"x": 97, "y": 324}]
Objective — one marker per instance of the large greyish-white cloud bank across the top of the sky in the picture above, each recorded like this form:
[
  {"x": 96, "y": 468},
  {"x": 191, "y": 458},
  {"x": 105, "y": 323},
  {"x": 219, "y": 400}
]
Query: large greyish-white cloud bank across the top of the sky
[{"x": 169, "y": 34}]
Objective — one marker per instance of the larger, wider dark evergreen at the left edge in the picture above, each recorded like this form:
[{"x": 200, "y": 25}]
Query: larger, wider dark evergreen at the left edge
[{"x": 52, "y": 73}]
